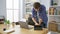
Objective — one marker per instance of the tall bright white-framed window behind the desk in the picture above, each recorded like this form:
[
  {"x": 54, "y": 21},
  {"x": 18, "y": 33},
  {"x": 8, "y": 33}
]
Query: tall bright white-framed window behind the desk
[{"x": 12, "y": 8}]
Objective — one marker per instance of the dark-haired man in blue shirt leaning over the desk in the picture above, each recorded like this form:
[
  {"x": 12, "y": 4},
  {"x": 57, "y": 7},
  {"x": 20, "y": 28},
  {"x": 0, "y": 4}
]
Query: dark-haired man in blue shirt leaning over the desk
[{"x": 39, "y": 15}]
